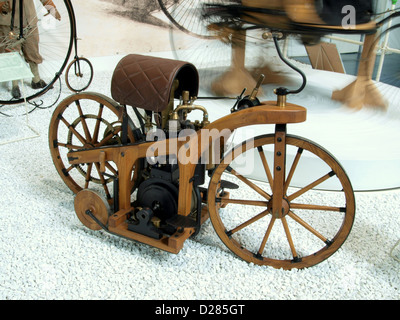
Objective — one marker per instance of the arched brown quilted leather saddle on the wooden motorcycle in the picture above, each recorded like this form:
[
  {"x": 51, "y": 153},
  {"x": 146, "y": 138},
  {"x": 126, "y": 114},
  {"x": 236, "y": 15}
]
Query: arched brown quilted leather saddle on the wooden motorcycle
[{"x": 146, "y": 82}]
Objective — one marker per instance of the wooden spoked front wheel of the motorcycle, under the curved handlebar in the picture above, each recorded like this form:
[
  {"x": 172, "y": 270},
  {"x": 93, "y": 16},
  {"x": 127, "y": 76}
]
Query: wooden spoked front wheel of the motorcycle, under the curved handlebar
[{"x": 316, "y": 210}]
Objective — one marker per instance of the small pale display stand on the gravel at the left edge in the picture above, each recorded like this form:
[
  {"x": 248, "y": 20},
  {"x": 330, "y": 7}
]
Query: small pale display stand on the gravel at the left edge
[{"x": 13, "y": 67}]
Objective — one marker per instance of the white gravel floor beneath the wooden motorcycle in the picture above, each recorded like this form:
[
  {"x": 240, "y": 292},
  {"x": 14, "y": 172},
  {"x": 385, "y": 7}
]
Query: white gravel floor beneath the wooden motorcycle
[{"x": 46, "y": 253}]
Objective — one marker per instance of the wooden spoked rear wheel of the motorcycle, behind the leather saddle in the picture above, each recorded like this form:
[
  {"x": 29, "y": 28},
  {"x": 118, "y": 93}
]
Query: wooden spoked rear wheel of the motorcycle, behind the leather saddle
[{"x": 84, "y": 121}]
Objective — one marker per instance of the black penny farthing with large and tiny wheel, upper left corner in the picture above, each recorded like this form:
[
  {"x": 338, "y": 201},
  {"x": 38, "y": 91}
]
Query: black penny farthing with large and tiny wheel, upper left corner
[{"x": 51, "y": 24}]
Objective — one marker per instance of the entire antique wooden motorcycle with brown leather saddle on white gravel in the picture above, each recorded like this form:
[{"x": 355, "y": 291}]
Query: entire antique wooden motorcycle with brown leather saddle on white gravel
[{"x": 150, "y": 174}]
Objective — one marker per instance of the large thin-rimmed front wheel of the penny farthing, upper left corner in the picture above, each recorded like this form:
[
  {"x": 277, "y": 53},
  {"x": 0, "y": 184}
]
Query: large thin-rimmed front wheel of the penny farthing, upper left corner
[{"x": 54, "y": 30}]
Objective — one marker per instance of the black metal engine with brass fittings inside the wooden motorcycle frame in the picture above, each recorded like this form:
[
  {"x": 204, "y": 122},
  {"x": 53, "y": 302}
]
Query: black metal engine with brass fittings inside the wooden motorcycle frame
[{"x": 157, "y": 194}]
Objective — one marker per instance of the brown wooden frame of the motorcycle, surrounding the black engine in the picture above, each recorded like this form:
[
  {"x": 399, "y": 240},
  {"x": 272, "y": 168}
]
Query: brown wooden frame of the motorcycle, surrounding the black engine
[{"x": 126, "y": 156}]
